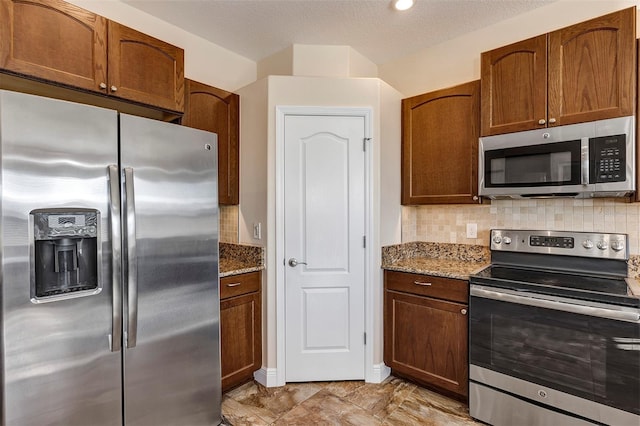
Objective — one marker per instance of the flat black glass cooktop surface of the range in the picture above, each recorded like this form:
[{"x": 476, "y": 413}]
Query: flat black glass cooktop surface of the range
[{"x": 598, "y": 289}]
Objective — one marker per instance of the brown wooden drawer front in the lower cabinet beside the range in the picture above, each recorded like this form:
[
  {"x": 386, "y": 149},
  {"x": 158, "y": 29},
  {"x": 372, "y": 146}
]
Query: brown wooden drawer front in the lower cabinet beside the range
[{"x": 427, "y": 285}]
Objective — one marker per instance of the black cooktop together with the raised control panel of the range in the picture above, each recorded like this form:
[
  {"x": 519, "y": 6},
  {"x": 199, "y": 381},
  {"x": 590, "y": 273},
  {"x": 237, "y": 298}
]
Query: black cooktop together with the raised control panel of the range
[{"x": 584, "y": 266}]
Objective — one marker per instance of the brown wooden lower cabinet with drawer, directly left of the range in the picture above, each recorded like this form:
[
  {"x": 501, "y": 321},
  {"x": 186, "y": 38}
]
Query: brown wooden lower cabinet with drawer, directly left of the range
[{"x": 425, "y": 330}]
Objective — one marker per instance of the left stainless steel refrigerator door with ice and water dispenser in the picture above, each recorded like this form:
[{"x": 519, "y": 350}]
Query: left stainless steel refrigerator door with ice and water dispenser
[{"x": 57, "y": 365}]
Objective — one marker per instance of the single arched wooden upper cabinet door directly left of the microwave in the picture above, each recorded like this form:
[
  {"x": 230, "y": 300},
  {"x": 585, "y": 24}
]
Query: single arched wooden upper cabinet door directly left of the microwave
[{"x": 440, "y": 146}]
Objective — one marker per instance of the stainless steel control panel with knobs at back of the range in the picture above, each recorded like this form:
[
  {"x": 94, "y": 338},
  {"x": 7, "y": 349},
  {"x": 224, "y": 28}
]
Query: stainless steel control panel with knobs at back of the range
[{"x": 584, "y": 244}]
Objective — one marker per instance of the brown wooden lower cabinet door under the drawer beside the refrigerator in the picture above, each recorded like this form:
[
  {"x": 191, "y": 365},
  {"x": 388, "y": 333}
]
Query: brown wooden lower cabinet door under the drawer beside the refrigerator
[{"x": 240, "y": 338}]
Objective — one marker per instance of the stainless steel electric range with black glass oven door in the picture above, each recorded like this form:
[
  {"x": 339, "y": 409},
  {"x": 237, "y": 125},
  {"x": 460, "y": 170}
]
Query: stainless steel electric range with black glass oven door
[{"x": 554, "y": 331}]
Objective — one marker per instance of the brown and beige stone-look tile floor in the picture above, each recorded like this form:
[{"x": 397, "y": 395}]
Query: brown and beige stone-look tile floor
[{"x": 393, "y": 402}]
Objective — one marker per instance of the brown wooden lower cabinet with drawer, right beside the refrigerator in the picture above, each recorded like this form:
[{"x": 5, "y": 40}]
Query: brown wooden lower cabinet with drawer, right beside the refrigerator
[{"x": 240, "y": 328}]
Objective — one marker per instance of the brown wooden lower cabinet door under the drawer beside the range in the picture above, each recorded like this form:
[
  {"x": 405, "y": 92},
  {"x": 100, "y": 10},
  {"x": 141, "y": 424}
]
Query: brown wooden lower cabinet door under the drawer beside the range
[{"x": 426, "y": 339}]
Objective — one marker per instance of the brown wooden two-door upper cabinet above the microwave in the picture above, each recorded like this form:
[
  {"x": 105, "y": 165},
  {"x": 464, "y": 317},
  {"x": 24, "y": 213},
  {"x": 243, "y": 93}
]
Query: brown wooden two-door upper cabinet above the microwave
[{"x": 580, "y": 73}]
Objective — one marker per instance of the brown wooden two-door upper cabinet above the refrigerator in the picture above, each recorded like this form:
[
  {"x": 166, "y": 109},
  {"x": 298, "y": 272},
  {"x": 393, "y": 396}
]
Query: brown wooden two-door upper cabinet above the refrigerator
[{"x": 59, "y": 42}]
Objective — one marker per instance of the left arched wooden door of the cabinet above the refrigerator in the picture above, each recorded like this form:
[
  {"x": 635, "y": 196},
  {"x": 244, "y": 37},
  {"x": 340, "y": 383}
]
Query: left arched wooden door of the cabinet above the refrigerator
[{"x": 55, "y": 41}]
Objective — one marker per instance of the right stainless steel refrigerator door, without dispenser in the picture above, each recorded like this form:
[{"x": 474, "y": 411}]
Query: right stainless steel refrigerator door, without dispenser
[{"x": 172, "y": 372}]
